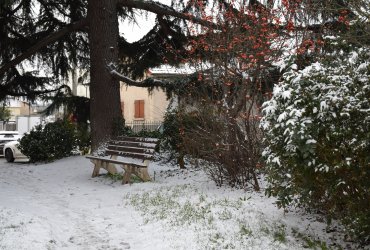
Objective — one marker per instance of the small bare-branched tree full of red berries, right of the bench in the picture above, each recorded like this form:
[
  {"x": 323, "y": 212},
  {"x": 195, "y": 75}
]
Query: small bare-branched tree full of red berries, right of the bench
[{"x": 233, "y": 63}]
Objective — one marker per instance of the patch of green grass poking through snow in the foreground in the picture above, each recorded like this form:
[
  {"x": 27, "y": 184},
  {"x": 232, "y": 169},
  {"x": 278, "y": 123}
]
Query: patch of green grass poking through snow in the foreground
[{"x": 217, "y": 223}]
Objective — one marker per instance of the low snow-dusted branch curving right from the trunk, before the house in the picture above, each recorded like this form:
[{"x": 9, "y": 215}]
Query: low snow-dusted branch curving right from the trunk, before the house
[{"x": 149, "y": 82}]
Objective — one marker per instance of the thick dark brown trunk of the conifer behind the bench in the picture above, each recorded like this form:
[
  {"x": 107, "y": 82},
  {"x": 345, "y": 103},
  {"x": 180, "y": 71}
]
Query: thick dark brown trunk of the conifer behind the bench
[{"x": 104, "y": 90}]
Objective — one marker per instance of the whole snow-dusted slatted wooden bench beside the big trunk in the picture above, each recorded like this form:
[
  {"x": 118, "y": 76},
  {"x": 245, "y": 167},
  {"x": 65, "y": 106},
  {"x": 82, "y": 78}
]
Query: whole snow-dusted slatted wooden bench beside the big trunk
[{"x": 135, "y": 154}]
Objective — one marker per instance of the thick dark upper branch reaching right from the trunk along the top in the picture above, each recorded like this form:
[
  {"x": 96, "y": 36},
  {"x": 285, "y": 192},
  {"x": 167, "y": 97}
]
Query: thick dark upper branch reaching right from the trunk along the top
[{"x": 162, "y": 9}]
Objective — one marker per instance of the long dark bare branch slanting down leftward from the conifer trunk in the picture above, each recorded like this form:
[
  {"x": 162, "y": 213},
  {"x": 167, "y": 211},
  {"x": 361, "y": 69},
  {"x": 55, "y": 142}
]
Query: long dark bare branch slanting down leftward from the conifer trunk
[{"x": 42, "y": 43}]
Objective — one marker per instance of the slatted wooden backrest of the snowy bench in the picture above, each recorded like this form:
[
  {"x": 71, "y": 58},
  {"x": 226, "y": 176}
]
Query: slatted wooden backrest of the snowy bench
[{"x": 133, "y": 147}]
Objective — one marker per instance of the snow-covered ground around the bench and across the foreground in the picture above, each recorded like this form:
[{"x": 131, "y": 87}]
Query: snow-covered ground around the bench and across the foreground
[{"x": 59, "y": 206}]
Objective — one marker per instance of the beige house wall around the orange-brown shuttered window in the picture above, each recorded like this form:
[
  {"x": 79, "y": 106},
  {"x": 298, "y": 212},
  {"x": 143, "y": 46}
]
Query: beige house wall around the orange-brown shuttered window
[{"x": 155, "y": 104}]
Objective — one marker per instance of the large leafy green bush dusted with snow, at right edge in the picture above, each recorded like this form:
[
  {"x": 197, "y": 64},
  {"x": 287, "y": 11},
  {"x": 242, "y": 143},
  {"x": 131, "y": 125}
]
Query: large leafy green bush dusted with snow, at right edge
[{"x": 317, "y": 135}]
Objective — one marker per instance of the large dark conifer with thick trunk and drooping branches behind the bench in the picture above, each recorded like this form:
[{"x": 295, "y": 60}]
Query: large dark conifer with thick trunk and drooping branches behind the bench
[{"x": 58, "y": 35}]
